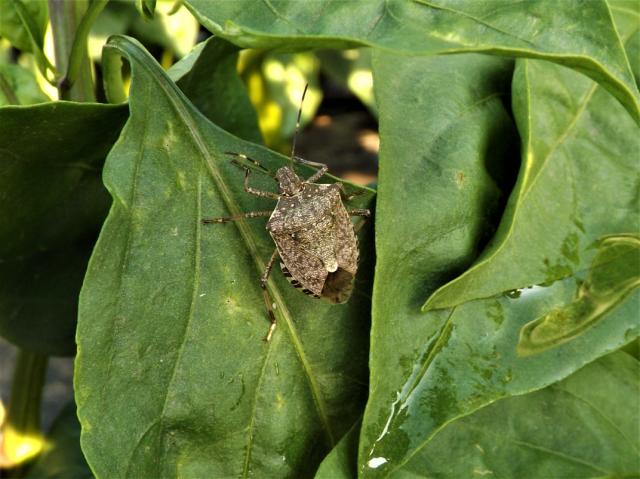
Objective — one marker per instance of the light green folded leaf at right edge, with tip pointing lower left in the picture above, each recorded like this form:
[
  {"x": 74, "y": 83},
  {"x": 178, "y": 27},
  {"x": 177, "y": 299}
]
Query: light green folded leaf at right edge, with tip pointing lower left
[{"x": 572, "y": 135}]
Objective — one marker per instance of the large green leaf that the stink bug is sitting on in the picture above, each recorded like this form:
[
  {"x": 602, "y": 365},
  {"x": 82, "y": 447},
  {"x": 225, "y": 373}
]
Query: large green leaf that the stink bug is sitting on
[{"x": 172, "y": 317}]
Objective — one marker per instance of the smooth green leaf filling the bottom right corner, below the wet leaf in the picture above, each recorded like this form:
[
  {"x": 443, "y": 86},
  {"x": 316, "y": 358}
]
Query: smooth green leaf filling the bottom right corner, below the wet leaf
[{"x": 583, "y": 426}]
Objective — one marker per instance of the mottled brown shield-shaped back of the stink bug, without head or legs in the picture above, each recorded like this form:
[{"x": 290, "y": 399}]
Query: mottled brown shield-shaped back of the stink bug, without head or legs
[{"x": 316, "y": 242}]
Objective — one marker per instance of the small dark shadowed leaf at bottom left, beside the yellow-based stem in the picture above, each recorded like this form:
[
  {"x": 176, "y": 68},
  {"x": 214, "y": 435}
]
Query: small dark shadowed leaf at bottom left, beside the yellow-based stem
[{"x": 62, "y": 457}]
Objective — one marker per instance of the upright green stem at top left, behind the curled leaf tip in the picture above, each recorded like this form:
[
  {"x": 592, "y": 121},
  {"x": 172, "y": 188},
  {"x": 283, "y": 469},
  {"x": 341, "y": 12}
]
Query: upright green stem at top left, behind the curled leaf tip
[{"x": 66, "y": 17}]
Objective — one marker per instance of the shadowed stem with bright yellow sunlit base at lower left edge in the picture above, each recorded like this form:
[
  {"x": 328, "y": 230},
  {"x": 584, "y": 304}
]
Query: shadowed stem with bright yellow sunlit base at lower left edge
[{"x": 22, "y": 438}]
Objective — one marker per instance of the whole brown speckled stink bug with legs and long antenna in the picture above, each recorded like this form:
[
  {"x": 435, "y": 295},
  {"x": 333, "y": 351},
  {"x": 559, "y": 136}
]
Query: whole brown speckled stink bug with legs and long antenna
[{"x": 311, "y": 228}]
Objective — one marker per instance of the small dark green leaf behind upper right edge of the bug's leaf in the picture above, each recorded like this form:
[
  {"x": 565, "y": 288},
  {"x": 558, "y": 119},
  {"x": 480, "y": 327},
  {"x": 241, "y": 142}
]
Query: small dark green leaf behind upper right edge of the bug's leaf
[{"x": 209, "y": 69}]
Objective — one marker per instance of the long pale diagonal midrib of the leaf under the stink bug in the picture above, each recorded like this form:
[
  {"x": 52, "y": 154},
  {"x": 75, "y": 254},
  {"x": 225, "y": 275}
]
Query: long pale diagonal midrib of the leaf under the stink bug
[{"x": 251, "y": 246}]
